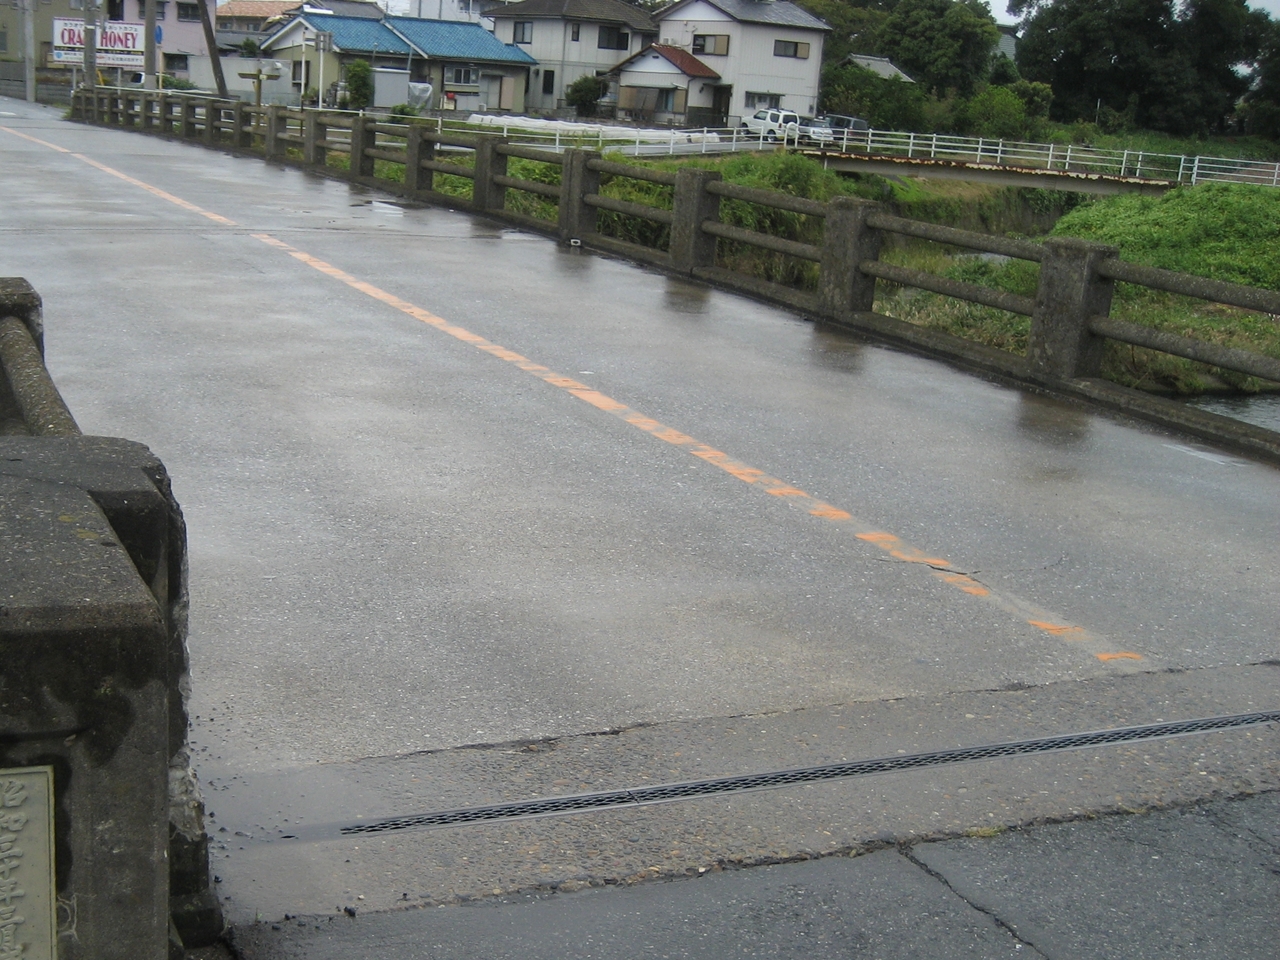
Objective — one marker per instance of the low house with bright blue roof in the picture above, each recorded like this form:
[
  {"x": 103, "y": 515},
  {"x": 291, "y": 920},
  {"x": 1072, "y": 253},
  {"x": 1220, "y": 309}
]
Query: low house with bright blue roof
[{"x": 467, "y": 67}]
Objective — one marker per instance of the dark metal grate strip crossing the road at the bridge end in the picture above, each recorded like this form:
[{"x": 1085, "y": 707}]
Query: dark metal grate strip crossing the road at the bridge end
[{"x": 666, "y": 793}]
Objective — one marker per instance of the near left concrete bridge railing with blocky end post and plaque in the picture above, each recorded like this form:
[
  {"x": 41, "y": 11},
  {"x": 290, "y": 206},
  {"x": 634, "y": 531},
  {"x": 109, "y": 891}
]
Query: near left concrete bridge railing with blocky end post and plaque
[{"x": 93, "y": 641}]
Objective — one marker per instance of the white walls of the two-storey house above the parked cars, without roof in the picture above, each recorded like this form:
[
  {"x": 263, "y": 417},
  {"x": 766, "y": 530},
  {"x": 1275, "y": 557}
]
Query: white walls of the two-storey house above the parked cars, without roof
[{"x": 751, "y": 66}]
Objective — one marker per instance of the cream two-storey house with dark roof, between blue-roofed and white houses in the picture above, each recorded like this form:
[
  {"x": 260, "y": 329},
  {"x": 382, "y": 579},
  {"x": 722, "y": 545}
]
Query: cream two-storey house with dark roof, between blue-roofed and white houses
[{"x": 572, "y": 39}]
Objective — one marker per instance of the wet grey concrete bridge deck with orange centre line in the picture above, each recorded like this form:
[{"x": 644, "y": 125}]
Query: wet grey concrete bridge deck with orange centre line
[{"x": 463, "y": 501}]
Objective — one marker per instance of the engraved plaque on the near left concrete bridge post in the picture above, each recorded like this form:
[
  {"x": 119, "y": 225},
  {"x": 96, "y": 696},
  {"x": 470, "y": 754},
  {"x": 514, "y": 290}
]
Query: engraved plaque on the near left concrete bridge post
[{"x": 29, "y": 917}]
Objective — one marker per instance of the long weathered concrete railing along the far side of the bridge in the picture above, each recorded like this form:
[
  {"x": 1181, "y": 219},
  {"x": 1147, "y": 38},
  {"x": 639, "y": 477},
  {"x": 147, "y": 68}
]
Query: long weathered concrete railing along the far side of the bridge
[{"x": 688, "y": 230}]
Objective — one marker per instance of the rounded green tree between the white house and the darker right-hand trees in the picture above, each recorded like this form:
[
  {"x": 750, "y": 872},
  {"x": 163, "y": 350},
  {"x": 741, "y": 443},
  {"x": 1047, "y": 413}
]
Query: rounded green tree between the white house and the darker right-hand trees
[{"x": 943, "y": 44}]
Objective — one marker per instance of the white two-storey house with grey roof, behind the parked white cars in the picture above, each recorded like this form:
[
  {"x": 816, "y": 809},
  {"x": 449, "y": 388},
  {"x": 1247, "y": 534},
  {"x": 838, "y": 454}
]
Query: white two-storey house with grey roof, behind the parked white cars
[{"x": 767, "y": 53}]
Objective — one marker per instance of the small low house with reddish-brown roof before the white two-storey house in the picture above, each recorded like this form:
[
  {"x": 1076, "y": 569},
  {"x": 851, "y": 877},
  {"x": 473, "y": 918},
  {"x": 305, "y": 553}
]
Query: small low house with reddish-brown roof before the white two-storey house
[{"x": 668, "y": 85}]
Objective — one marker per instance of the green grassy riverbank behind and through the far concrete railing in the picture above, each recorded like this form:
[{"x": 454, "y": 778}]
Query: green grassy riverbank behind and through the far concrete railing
[{"x": 1220, "y": 231}]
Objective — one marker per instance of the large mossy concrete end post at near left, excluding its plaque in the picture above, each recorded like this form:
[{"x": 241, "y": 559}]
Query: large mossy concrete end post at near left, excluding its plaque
[{"x": 94, "y": 651}]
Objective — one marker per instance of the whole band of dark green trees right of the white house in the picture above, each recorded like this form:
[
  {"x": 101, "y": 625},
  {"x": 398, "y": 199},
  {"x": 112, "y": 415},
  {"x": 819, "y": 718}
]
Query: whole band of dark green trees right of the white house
[{"x": 1181, "y": 67}]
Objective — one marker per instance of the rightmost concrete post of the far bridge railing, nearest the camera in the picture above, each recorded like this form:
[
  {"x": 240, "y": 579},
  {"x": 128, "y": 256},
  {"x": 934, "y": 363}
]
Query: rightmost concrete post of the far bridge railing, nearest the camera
[{"x": 1071, "y": 292}]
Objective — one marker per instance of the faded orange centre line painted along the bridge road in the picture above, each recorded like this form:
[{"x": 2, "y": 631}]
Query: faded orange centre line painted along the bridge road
[{"x": 788, "y": 493}]
